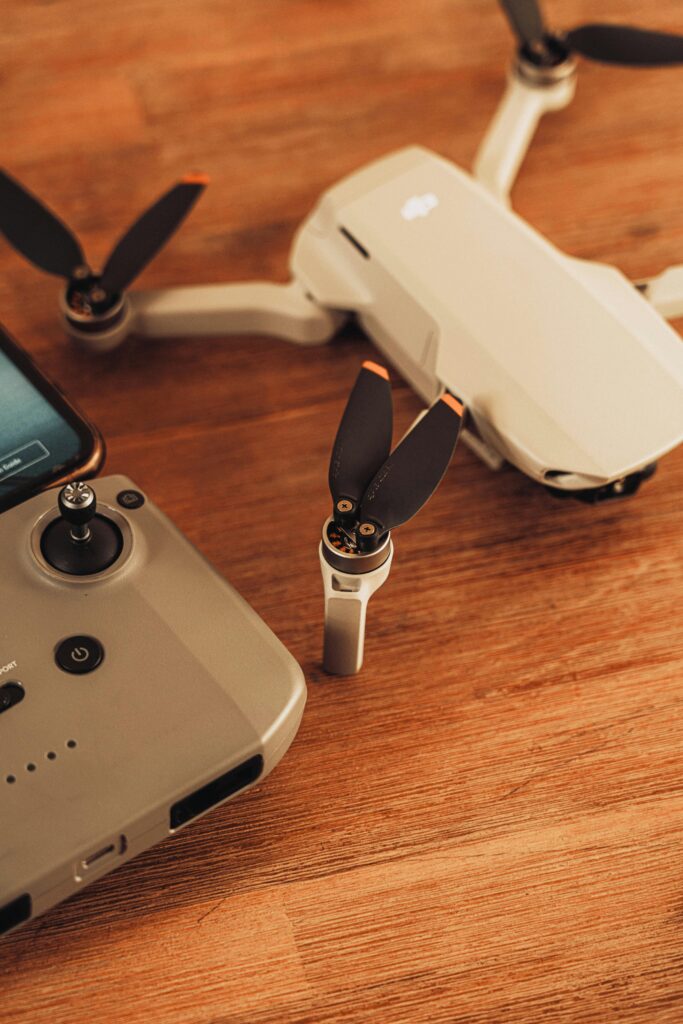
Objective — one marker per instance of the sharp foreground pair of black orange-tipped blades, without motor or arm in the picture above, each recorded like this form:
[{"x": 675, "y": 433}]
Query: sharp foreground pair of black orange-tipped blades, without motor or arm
[{"x": 387, "y": 490}]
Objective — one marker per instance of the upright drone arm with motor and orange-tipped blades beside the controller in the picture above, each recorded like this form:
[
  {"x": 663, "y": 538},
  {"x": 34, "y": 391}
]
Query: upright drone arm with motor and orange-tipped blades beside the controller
[{"x": 374, "y": 490}]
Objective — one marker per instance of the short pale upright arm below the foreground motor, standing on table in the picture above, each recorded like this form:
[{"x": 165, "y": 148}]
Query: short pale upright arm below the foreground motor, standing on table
[{"x": 347, "y": 599}]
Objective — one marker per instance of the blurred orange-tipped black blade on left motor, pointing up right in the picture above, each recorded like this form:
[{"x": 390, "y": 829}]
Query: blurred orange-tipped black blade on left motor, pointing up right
[{"x": 152, "y": 231}]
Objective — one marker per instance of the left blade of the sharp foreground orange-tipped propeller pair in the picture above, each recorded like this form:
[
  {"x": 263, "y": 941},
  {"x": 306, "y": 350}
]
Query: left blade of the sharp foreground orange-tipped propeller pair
[{"x": 364, "y": 440}]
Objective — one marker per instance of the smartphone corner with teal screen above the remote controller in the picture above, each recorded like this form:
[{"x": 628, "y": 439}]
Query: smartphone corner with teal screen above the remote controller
[{"x": 45, "y": 440}]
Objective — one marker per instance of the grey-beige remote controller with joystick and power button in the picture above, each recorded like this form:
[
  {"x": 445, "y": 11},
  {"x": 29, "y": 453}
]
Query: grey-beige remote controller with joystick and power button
[{"x": 138, "y": 691}]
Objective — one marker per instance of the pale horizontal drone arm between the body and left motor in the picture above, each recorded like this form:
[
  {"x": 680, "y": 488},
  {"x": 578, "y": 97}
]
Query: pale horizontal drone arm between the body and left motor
[{"x": 283, "y": 311}]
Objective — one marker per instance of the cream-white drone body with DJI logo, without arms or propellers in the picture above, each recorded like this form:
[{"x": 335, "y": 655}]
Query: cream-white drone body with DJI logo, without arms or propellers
[{"x": 567, "y": 370}]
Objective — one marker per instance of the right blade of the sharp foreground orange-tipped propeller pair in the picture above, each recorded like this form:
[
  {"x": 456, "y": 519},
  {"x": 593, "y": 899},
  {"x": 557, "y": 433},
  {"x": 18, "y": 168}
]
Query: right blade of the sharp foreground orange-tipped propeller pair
[{"x": 413, "y": 472}]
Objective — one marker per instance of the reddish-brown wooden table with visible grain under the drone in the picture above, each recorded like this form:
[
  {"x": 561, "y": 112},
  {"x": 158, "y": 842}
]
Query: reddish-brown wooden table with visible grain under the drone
[{"x": 487, "y": 825}]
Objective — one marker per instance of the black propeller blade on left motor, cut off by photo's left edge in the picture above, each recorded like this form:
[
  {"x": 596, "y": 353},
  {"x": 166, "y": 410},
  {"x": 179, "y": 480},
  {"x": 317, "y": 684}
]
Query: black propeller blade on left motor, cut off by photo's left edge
[{"x": 37, "y": 233}]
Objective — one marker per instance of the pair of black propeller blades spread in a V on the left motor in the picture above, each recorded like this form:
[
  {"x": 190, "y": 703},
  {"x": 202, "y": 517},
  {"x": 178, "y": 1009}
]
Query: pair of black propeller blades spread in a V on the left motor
[{"x": 35, "y": 232}]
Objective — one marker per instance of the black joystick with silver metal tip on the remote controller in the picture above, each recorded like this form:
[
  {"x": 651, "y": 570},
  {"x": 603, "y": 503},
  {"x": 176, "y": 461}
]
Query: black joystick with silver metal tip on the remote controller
[{"x": 81, "y": 542}]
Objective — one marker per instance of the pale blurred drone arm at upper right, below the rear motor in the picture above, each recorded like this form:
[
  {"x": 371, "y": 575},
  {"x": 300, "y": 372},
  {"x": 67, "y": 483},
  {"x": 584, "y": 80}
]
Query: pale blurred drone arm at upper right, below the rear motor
[{"x": 514, "y": 127}]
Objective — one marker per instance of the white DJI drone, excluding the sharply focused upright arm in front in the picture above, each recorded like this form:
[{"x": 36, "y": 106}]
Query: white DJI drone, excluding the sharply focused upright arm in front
[{"x": 568, "y": 370}]
